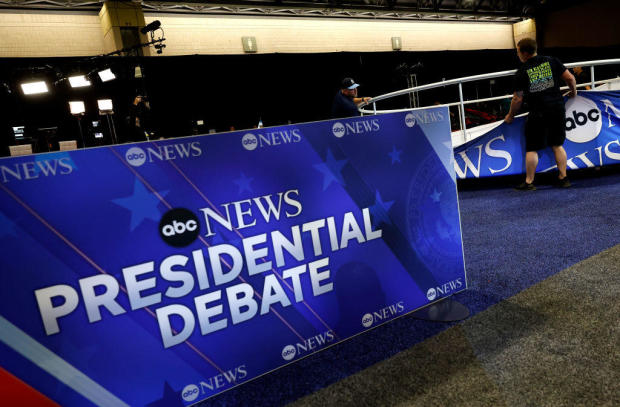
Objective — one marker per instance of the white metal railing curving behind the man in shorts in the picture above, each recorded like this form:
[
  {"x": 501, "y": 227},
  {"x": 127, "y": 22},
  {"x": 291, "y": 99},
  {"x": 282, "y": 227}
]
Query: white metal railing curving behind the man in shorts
[{"x": 460, "y": 81}]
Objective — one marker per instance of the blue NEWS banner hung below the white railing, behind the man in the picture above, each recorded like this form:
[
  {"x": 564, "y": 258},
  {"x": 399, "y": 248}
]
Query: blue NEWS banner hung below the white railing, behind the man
[{"x": 592, "y": 140}]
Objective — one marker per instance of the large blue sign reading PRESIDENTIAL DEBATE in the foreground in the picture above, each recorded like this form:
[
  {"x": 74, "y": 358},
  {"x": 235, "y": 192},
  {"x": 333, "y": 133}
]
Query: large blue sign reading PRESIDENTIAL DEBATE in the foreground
[{"x": 169, "y": 271}]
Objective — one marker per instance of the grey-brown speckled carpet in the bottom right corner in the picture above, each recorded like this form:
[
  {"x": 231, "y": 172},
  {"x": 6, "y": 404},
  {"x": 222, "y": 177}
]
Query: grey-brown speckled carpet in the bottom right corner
[{"x": 555, "y": 344}]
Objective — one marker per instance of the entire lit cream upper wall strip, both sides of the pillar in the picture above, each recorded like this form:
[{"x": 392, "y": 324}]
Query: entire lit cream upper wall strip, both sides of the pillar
[{"x": 39, "y": 33}]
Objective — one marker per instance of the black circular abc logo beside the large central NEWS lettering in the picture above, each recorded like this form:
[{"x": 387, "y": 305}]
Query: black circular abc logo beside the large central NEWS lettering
[{"x": 179, "y": 227}]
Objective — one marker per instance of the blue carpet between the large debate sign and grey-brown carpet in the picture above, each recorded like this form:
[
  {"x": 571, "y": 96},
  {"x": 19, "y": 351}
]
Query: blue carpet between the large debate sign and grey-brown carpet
[{"x": 512, "y": 240}]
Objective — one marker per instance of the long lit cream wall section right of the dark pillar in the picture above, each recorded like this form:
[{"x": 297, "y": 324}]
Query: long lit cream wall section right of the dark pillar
[{"x": 188, "y": 34}]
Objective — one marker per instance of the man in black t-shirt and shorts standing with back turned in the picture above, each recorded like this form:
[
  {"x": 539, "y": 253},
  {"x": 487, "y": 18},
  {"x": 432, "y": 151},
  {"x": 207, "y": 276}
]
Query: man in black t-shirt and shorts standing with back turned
[{"x": 537, "y": 82}]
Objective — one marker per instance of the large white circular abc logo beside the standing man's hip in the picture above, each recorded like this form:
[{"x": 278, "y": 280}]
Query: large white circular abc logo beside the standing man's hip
[{"x": 583, "y": 120}]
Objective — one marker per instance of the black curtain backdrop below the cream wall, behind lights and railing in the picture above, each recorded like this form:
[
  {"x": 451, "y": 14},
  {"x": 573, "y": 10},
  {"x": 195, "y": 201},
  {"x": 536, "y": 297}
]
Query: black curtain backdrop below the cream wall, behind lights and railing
[{"x": 237, "y": 91}]
